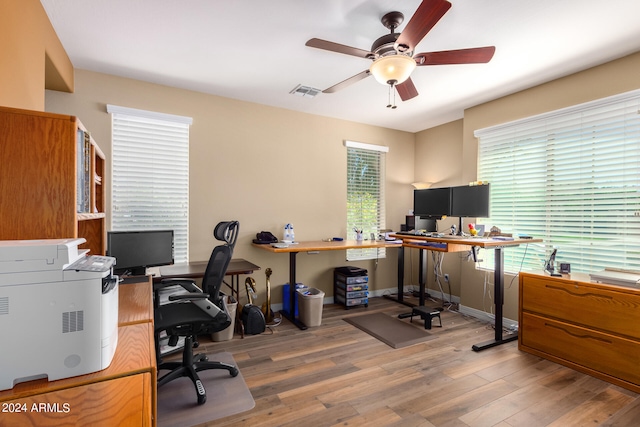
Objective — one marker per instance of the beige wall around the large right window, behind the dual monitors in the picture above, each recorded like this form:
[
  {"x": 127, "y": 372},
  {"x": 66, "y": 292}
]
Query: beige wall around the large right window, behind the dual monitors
[{"x": 612, "y": 78}]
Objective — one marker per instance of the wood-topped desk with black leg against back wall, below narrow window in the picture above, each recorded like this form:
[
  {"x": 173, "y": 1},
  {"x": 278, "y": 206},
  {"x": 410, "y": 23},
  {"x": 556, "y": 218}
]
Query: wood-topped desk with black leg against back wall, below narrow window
[{"x": 315, "y": 246}]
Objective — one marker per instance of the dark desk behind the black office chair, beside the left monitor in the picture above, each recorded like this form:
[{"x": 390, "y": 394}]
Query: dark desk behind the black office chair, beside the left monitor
[{"x": 196, "y": 269}]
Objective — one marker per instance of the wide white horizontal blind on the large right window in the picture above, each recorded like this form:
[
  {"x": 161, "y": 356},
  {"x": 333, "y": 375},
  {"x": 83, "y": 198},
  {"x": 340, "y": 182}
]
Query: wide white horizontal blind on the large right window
[{"x": 572, "y": 178}]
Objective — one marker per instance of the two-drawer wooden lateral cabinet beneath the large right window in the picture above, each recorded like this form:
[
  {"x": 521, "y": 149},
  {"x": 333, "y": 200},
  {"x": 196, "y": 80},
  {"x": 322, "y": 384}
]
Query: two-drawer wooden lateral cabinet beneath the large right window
[{"x": 590, "y": 327}]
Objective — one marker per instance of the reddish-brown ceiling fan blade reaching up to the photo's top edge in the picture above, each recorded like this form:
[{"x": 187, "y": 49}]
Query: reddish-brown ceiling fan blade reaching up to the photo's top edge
[{"x": 426, "y": 16}]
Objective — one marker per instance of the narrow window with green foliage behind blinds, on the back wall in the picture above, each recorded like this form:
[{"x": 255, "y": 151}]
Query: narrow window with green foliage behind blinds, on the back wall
[{"x": 365, "y": 195}]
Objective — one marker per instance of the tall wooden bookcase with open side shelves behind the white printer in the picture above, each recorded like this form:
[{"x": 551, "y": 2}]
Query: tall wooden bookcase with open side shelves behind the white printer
[{"x": 39, "y": 176}]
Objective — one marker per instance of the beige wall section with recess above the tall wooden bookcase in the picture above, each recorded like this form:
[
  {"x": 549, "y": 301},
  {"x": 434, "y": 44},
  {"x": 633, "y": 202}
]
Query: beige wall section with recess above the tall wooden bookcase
[{"x": 31, "y": 56}]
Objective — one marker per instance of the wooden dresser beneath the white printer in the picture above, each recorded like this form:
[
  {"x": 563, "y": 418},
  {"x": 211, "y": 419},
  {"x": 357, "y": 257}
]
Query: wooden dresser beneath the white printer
[{"x": 122, "y": 394}]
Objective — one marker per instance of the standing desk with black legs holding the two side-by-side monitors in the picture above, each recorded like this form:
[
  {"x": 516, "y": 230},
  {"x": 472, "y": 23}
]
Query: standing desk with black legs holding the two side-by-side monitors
[{"x": 459, "y": 244}]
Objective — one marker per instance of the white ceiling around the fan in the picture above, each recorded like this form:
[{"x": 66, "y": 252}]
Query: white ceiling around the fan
[{"x": 255, "y": 50}]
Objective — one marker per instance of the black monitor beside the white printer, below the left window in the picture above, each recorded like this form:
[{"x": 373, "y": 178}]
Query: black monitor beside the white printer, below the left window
[{"x": 134, "y": 251}]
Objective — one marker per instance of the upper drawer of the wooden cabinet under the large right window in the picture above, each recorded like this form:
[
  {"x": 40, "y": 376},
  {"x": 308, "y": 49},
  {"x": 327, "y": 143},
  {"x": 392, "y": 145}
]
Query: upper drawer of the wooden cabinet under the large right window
[{"x": 603, "y": 307}]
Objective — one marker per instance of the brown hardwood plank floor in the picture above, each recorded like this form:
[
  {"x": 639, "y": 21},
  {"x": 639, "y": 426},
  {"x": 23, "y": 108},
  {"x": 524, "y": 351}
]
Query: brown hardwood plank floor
[{"x": 337, "y": 375}]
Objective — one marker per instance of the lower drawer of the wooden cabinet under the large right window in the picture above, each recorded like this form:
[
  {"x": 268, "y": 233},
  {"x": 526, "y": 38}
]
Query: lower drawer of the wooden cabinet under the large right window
[{"x": 611, "y": 355}]
